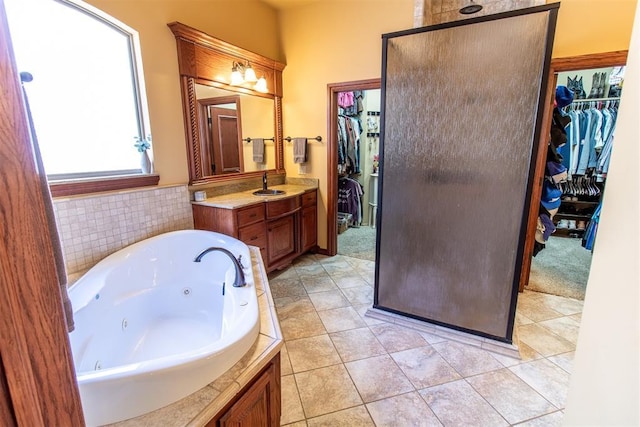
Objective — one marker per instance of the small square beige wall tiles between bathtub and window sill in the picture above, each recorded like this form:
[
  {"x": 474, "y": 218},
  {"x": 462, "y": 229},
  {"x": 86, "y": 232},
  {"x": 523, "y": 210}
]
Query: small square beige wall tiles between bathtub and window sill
[{"x": 93, "y": 227}]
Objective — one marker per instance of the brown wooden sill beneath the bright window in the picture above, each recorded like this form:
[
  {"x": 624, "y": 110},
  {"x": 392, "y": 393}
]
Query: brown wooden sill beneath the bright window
[{"x": 96, "y": 185}]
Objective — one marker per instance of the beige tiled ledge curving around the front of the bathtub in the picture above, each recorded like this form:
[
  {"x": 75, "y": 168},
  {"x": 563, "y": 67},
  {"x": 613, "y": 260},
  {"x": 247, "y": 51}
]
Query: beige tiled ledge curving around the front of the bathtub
[{"x": 200, "y": 407}]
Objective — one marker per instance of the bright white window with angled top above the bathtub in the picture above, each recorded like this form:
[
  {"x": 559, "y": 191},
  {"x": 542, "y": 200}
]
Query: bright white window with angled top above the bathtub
[{"x": 87, "y": 94}]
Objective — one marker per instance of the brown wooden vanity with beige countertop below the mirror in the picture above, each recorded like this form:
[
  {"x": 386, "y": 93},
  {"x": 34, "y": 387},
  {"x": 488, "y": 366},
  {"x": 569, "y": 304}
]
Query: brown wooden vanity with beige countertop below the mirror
[{"x": 283, "y": 226}]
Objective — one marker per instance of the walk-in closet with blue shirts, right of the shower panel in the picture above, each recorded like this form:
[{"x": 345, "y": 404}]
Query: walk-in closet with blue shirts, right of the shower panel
[{"x": 582, "y": 139}]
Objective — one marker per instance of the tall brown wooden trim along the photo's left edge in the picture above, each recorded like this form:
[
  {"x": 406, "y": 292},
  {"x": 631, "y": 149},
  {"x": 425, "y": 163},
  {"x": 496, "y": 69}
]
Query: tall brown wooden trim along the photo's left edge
[{"x": 36, "y": 355}]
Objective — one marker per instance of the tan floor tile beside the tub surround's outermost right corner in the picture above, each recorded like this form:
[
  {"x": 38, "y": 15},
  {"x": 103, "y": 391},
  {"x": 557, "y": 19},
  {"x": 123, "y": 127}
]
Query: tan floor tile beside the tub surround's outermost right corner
[{"x": 312, "y": 353}]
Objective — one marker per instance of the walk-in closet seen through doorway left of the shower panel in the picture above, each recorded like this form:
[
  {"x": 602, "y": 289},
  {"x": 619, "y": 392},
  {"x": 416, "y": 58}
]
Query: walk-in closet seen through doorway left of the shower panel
[{"x": 358, "y": 135}]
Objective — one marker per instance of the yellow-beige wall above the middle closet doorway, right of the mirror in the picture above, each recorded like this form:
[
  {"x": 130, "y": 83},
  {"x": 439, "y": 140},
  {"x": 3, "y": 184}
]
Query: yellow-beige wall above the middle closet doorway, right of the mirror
[{"x": 330, "y": 41}]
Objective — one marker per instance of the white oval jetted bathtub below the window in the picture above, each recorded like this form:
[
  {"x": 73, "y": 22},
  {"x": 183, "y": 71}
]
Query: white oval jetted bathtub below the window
[{"x": 153, "y": 325}]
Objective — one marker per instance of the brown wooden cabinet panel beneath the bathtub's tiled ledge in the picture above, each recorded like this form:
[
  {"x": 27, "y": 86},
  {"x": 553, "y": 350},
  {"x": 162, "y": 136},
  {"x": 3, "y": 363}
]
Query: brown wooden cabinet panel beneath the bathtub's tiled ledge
[{"x": 258, "y": 404}]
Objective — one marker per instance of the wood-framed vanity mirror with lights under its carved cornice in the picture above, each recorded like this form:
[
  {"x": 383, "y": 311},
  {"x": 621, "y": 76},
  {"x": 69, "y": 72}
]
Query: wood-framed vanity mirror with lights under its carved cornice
[{"x": 224, "y": 120}]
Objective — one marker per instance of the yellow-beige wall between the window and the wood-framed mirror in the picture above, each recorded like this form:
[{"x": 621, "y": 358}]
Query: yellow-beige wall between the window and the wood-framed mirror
[{"x": 249, "y": 24}]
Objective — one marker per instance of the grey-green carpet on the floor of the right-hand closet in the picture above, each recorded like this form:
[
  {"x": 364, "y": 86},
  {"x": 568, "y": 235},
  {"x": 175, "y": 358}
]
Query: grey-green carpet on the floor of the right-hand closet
[{"x": 561, "y": 268}]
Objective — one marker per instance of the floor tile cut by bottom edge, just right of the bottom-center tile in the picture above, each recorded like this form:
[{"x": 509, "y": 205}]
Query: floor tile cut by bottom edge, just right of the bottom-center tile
[{"x": 407, "y": 409}]
